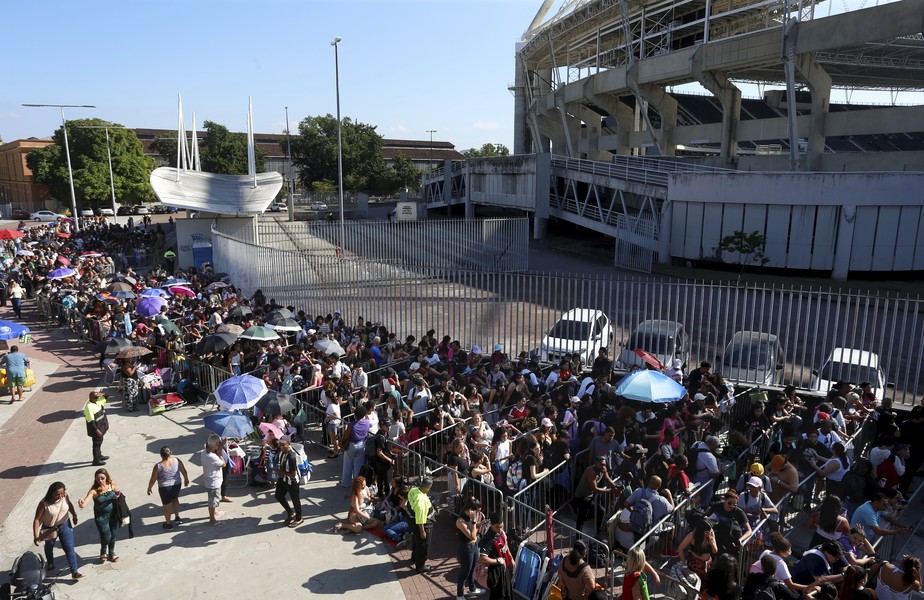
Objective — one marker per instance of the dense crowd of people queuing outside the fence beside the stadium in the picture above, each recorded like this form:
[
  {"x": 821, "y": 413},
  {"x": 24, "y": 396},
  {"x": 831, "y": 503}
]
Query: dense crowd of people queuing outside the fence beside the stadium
[{"x": 499, "y": 422}]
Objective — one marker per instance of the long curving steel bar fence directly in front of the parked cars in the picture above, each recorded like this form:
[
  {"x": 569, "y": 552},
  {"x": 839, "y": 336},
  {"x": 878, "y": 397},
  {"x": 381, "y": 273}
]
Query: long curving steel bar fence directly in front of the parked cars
[{"x": 516, "y": 309}]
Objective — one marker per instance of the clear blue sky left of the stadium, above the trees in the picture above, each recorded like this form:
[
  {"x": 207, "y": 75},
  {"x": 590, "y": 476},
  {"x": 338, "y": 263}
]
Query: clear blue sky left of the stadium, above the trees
[{"x": 406, "y": 66}]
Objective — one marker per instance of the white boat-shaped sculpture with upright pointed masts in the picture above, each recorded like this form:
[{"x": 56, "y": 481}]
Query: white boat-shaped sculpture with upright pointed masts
[{"x": 187, "y": 186}]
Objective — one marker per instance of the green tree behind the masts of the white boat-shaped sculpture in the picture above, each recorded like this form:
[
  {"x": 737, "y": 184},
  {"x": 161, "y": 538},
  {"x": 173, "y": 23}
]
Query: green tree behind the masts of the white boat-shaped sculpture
[{"x": 220, "y": 150}]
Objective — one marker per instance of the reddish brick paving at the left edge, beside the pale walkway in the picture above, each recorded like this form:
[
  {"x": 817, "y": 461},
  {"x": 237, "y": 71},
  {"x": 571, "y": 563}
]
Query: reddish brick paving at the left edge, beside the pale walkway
[{"x": 45, "y": 413}]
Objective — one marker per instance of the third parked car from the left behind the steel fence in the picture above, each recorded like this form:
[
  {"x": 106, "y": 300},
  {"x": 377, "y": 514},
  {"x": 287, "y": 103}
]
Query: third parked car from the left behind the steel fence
[{"x": 753, "y": 357}]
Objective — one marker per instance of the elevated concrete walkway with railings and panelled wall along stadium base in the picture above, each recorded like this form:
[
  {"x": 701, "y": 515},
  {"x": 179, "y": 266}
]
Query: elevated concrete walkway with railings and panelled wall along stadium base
[{"x": 667, "y": 209}]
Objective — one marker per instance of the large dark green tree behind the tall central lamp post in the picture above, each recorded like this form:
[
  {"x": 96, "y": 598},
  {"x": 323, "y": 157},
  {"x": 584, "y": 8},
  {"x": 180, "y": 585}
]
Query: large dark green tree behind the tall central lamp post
[{"x": 314, "y": 152}]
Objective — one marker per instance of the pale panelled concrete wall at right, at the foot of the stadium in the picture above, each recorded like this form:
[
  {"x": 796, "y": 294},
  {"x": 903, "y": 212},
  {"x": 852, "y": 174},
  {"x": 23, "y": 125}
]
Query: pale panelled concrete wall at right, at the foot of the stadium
[{"x": 821, "y": 221}]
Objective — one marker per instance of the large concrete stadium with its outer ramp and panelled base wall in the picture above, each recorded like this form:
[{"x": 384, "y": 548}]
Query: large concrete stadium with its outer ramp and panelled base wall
[{"x": 669, "y": 173}]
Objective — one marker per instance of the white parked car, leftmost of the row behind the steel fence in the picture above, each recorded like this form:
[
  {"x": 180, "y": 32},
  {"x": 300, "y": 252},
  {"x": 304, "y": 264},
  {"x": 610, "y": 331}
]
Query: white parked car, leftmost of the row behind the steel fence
[{"x": 580, "y": 330}]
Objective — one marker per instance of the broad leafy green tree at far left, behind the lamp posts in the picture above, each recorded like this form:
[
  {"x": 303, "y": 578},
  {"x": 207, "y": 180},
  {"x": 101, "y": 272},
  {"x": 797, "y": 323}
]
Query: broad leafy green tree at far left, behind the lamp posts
[{"x": 131, "y": 169}]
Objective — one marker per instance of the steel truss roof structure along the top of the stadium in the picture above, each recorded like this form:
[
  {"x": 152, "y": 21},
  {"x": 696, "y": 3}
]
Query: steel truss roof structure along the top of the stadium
[{"x": 874, "y": 48}]
